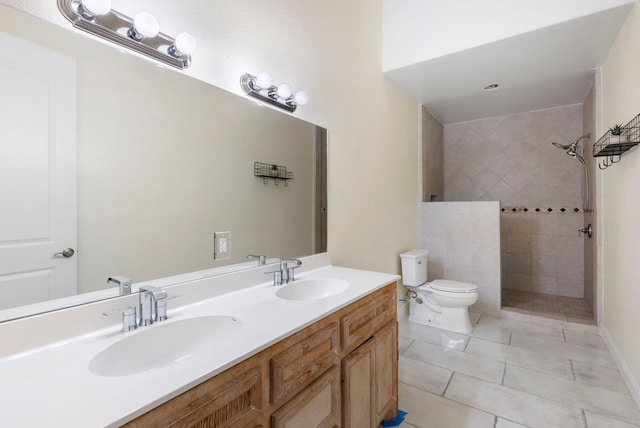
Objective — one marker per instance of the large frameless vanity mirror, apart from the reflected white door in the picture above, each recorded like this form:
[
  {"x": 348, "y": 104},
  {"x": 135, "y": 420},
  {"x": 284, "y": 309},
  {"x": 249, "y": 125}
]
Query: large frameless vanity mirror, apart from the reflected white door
[{"x": 165, "y": 161}]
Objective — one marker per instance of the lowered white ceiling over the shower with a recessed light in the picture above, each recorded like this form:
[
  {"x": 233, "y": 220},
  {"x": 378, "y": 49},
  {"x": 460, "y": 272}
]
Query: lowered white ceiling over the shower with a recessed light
[{"x": 547, "y": 67}]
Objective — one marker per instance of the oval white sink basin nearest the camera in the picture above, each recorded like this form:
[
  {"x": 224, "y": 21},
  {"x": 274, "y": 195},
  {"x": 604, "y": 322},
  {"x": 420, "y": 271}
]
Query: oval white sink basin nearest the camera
[{"x": 163, "y": 344}]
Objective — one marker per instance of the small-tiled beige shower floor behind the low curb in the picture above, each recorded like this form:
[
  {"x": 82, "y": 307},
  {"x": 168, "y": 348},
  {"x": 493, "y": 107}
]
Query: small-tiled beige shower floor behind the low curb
[{"x": 547, "y": 305}]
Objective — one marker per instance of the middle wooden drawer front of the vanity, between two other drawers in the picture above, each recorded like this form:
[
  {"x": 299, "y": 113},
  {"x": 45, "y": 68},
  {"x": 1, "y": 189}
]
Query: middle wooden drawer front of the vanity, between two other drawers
[{"x": 302, "y": 361}]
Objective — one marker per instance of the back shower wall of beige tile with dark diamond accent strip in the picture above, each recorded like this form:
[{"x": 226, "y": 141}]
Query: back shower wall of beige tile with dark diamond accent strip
[{"x": 511, "y": 159}]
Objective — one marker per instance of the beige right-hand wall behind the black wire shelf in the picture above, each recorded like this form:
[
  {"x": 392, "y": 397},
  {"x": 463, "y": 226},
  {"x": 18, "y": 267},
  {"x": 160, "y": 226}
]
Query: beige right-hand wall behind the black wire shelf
[{"x": 621, "y": 198}]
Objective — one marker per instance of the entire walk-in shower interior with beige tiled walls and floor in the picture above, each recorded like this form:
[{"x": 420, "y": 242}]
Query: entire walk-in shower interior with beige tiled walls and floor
[{"x": 546, "y": 198}]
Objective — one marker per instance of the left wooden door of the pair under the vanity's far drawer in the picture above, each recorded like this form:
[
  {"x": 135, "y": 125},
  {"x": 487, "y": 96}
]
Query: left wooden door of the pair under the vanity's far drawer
[{"x": 358, "y": 394}]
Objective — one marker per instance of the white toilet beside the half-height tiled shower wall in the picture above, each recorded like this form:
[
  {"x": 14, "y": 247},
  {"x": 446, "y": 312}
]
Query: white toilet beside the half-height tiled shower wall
[{"x": 441, "y": 303}]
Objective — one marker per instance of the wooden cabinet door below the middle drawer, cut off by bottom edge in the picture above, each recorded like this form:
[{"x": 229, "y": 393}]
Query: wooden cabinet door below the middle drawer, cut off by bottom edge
[{"x": 317, "y": 406}]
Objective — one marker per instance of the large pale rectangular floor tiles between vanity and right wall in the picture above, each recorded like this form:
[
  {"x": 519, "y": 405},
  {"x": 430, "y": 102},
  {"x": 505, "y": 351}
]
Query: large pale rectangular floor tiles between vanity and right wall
[{"x": 511, "y": 374}]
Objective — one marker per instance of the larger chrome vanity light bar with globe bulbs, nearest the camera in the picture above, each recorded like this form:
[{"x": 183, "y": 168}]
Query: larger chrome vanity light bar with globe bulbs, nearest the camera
[{"x": 141, "y": 34}]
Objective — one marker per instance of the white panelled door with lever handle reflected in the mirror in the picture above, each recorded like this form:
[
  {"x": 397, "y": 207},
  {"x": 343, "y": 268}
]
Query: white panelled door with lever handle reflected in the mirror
[{"x": 37, "y": 173}]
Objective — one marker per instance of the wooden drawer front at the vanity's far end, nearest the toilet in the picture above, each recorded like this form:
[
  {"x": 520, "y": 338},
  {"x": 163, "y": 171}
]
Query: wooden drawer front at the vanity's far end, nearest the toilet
[{"x": 372, "y": 314}]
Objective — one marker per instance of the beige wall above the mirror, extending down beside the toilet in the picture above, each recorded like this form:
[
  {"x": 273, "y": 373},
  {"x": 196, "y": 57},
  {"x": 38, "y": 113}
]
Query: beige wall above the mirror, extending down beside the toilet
[{"x": 332, "y": 50}]
